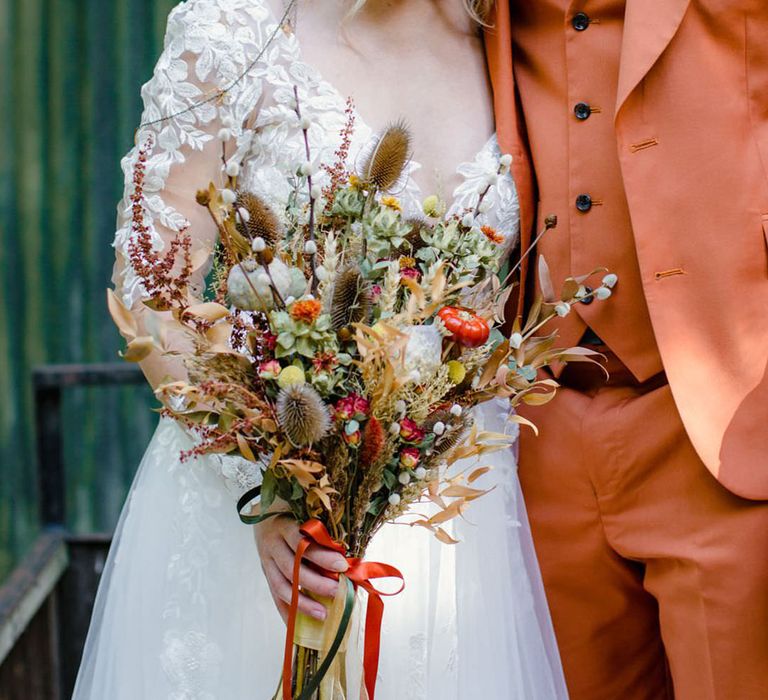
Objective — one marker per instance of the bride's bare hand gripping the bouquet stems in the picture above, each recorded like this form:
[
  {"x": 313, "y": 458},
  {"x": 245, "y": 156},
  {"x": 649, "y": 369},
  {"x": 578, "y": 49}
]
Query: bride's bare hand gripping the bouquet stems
[{"x": 276, "y": 540}]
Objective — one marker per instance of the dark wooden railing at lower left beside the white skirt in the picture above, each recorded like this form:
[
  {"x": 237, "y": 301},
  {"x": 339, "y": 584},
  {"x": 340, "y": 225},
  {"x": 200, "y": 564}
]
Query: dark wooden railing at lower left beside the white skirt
[{"x": 45, "y": 605}]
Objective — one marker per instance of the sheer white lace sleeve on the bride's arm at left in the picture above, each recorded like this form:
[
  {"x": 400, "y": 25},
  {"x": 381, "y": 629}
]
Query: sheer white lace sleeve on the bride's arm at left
[{"x": 208, "y": 85}]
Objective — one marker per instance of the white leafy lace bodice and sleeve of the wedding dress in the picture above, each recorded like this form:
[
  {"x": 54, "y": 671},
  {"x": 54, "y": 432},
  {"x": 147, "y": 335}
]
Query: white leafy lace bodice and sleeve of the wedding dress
[{"x": 229, "y": 71}]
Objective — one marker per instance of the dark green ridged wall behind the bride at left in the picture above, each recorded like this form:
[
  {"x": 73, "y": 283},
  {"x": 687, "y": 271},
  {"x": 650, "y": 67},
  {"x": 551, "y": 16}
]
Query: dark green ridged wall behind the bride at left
[{"x": 70, "y": 74}]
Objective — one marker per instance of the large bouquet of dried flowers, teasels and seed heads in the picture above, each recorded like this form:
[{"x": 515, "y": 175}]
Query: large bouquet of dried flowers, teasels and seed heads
[{"x": 341, "y": 346}]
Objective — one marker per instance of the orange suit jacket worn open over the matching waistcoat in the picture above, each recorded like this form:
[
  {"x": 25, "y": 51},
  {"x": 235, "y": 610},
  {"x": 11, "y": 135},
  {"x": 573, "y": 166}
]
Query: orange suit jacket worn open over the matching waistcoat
[{"x": 691, "y": 124}]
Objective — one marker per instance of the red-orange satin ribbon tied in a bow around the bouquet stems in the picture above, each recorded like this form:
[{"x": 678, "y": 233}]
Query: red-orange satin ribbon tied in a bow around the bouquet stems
[{"x": 360, "y": 573}]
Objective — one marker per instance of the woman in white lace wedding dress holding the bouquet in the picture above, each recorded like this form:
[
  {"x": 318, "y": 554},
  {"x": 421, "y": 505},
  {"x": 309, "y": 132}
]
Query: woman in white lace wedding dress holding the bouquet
[{"x": 190, "y": 601}]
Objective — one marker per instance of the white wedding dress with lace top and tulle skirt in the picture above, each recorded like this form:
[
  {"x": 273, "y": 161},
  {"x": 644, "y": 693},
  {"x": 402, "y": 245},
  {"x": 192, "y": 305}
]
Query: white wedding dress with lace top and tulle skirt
[{"x": 183, "y": 611}]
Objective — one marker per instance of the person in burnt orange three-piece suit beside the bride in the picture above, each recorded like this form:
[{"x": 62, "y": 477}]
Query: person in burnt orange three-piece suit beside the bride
[{"x": 643, "y": 125}]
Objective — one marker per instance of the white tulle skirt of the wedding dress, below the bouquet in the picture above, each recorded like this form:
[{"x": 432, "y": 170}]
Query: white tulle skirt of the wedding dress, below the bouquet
[{"x": 183, "y": 611}]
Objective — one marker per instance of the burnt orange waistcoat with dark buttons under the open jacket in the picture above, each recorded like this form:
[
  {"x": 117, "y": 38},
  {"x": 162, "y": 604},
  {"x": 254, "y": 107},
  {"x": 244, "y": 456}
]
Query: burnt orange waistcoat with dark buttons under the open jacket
[{"x": 556, "y": 70}]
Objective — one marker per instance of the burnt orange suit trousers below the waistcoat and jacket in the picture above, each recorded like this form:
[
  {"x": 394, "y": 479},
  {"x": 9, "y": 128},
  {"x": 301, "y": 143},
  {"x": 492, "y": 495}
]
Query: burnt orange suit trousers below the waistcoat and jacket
[{"x": 656, "y": 575}]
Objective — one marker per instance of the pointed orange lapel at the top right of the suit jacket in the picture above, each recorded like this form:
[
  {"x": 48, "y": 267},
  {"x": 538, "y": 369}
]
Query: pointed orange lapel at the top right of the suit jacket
[{"x": 648, "y": 29}]
